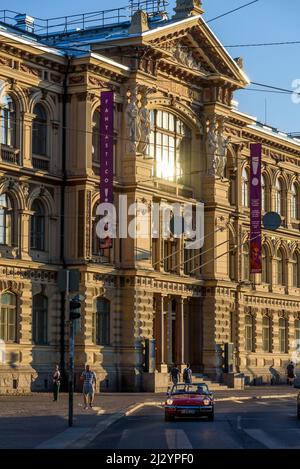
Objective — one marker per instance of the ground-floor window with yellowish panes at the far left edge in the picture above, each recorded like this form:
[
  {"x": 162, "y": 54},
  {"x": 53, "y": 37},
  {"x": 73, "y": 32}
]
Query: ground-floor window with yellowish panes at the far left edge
[{"x": 8, "y": 317}]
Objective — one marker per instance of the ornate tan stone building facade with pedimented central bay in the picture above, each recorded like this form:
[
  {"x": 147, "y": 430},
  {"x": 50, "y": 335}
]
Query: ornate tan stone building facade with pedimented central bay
[{"x": 178, "y": 139}]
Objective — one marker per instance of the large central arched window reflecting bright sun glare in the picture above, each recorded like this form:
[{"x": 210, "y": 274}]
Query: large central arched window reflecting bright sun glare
[{"x": 170, "y": 145}]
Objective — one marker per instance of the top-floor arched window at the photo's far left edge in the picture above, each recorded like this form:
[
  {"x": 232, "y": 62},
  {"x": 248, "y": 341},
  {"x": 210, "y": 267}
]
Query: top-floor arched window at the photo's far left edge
[{"x": 8, "y": 122}]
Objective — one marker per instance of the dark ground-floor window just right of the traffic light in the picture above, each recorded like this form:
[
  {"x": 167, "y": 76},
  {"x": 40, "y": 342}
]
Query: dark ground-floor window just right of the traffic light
[{"x": 101, "y": 322}]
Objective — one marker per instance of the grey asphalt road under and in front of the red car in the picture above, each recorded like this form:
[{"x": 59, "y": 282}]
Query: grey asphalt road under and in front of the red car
[{"x": 261, "y": 424}]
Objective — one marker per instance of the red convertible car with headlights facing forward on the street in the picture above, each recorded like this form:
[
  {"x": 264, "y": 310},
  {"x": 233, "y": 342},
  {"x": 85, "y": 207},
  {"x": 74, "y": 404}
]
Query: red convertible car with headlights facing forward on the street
[{"x": 189, "y": 400}]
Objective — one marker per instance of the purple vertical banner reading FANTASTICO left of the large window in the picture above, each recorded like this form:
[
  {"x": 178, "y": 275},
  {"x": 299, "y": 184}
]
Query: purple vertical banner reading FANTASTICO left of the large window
[{"x": 106, "y": 154}]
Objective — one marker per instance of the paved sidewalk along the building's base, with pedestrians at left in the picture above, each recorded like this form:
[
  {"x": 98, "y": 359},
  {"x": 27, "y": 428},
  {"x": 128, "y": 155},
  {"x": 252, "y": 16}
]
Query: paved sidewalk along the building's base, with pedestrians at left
[{"x": 34, "y": 421}]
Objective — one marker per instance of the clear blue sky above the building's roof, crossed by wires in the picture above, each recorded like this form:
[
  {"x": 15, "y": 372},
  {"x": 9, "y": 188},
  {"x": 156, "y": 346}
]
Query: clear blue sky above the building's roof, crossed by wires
[{"x": 265, "y": 21}]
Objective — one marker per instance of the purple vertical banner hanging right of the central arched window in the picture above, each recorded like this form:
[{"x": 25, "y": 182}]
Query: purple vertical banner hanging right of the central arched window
[{"x": 255, "y": 209}]
